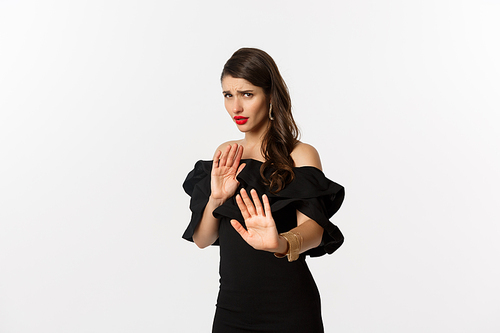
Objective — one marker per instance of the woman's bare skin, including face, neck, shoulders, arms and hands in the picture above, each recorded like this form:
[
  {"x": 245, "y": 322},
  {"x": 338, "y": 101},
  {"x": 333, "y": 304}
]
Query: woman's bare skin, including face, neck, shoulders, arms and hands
[{"x": 241, "y": 98}]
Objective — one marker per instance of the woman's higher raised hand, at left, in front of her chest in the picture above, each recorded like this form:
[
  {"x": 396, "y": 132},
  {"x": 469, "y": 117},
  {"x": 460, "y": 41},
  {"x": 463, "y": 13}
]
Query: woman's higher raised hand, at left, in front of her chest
[{"x": 226, "y": 166}]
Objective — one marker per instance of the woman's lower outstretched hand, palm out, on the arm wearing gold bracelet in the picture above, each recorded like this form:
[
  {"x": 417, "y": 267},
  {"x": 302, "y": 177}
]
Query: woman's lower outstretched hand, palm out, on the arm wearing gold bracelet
[{"x": 261, "y": 232}]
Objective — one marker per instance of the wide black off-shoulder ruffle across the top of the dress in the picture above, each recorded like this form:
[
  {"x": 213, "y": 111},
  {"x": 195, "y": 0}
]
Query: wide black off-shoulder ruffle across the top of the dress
[{"x": 310, "y": 192}]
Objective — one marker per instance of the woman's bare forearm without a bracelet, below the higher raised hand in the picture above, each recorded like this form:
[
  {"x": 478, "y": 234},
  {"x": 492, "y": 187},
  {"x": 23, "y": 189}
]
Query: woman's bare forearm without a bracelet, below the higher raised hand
[{"x": 207, "y": 231}]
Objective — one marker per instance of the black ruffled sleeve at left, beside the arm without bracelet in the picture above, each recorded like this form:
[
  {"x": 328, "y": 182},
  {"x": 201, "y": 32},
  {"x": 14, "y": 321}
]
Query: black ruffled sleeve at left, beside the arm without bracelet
[{"x": 197, "y": 186}]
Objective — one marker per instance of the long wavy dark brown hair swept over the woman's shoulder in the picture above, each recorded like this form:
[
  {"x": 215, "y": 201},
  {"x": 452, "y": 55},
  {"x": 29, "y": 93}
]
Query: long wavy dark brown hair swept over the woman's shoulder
[{"x": 258, "y": 68}]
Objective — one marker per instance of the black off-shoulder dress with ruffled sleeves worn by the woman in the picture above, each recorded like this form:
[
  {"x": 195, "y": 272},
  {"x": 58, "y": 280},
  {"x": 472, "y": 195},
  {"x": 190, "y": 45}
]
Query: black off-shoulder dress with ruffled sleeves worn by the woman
[{"x": 259, "y": 292}]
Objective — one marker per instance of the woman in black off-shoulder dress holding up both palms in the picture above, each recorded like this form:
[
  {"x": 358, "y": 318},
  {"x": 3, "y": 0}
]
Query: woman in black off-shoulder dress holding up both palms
[{"x": 262, "y": 198}]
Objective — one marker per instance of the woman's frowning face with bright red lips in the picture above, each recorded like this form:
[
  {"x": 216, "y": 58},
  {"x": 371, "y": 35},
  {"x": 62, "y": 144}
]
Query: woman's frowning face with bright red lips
[{"x": 247, "y": 104}]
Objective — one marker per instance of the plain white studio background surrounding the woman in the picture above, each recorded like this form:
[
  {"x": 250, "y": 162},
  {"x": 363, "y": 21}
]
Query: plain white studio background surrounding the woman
[{"x": 106, "y": 105}]
